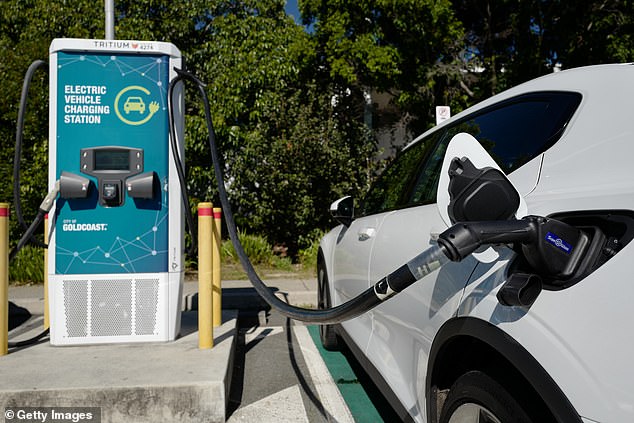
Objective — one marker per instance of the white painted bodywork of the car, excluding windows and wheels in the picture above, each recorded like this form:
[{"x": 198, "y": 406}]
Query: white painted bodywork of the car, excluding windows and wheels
[{"x": 582, "y": 335}]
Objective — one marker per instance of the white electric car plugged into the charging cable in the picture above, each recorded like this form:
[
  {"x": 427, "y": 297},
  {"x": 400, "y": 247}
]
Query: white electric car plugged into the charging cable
[{"x": 446, "y": 349}]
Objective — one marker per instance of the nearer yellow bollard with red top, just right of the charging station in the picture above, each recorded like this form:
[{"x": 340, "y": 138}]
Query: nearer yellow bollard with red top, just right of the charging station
[{"x": 205, "y": 328}]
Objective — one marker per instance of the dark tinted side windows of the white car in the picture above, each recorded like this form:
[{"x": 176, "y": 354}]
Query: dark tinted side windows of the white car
[{"x": 513, "y": 132}]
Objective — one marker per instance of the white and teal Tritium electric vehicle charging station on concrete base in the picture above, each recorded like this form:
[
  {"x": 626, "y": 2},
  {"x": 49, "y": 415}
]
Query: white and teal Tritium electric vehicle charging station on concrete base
[{"x": 116, "y": 246}]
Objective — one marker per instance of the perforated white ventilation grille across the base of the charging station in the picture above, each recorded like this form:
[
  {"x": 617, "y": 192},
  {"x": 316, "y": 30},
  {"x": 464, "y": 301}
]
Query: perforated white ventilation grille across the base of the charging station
[{"x": 110, "y": 307}]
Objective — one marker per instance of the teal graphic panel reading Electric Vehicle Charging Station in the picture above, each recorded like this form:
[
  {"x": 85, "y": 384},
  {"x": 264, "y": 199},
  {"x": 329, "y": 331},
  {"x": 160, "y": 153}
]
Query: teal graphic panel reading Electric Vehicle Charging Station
[{"x": 106, "y": 100}]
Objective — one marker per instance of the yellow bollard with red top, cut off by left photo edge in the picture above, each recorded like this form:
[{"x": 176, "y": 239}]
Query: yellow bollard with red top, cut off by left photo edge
[{"x": 4, "y": 279}]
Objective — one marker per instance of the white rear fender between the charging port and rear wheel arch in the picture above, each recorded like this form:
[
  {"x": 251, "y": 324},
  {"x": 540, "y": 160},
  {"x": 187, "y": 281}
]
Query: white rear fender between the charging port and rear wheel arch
[{"x": 585, "y": 349}]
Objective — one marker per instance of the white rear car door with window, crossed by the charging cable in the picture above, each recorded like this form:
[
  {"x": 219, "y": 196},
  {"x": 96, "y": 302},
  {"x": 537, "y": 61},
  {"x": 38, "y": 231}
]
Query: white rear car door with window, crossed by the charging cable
[{"x": 404, "y": 327}]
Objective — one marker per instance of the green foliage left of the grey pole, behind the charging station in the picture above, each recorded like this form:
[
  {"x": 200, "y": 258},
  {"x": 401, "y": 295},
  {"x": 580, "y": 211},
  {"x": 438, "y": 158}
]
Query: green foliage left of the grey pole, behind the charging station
[{"x": 26, "y": 30}]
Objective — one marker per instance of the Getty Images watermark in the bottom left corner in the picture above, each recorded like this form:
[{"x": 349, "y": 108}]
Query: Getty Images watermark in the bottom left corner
[{"x": 52, "y": 414}]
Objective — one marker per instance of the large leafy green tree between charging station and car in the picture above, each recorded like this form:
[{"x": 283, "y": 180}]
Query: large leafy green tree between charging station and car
[{"x": 289, "y": 151}]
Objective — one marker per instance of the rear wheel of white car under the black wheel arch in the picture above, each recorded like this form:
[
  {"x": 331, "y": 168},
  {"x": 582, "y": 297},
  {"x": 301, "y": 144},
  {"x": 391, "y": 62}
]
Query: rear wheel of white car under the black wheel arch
[{"x": 477, "y": 398}]
